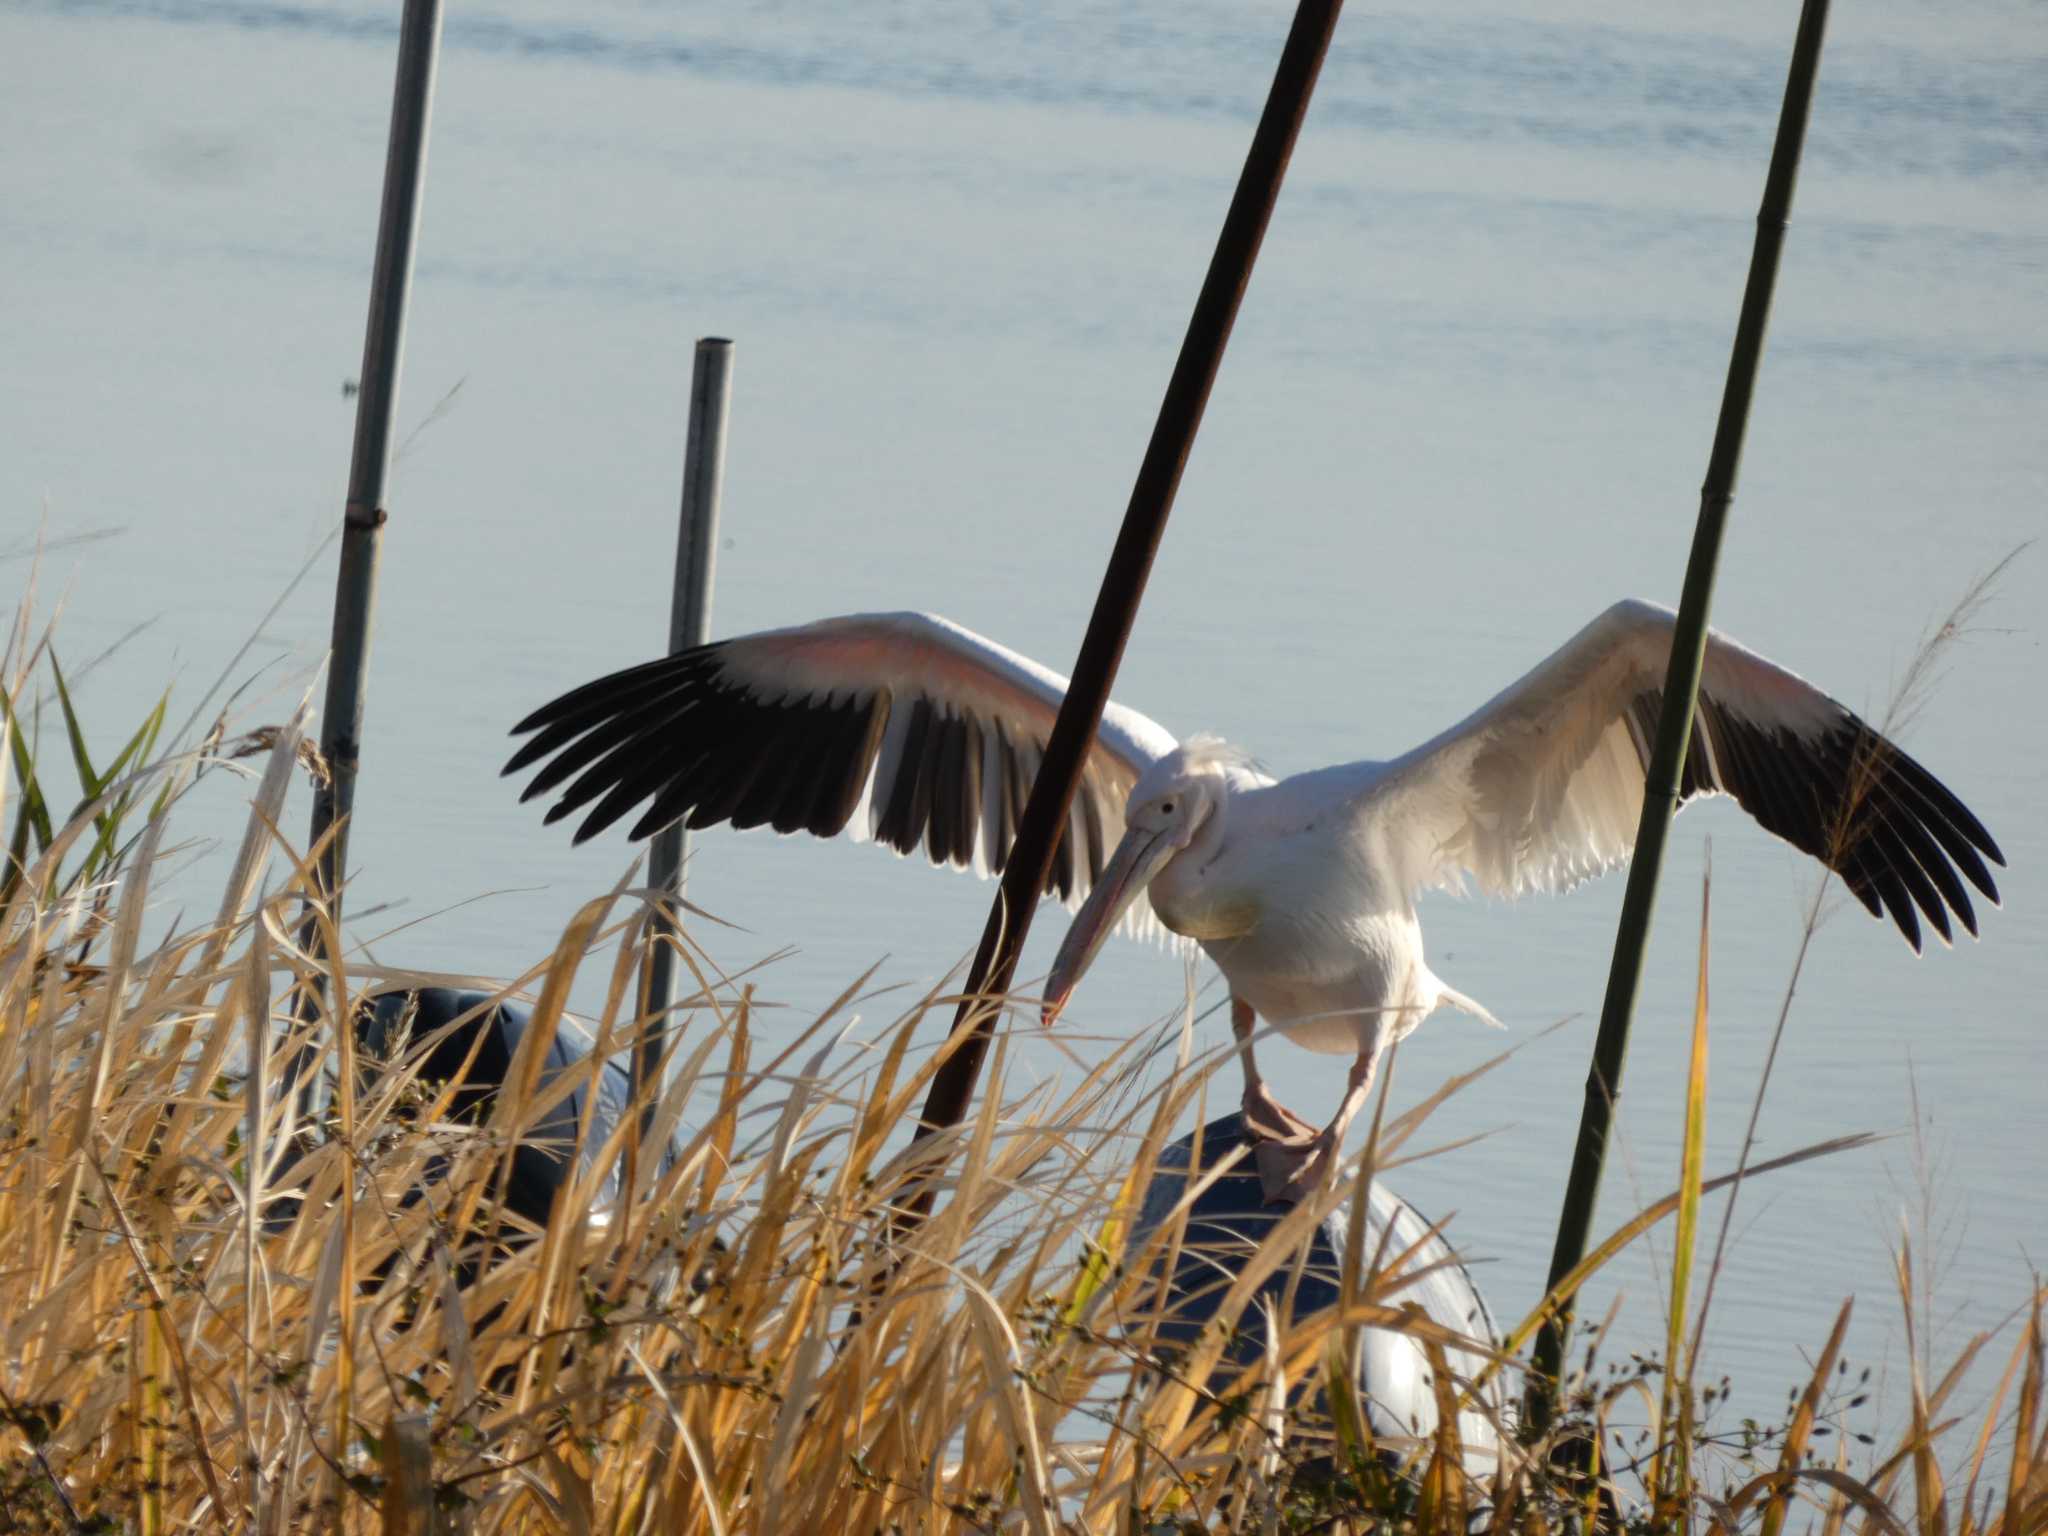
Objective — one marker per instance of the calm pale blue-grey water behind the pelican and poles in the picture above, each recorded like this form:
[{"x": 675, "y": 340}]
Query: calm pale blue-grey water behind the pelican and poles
[{"x": 1467, "y": 407}]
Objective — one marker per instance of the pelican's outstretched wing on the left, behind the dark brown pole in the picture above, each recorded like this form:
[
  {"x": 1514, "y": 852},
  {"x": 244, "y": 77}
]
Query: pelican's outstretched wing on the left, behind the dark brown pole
[{"x": 900, "y": 728}]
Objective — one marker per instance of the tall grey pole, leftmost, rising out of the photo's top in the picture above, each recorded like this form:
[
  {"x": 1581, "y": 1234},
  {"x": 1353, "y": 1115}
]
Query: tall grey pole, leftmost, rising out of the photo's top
[{"x": 355, "y": 591}]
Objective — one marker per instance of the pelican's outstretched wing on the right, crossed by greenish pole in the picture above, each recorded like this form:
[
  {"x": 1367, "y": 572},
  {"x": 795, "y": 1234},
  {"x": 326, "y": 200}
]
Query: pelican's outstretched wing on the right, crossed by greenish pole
[{"x": 1543, "y": 787}]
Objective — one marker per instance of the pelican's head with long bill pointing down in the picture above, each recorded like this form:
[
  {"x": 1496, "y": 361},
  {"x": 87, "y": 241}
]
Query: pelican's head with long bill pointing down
[{"x": 1170, "y": 808}]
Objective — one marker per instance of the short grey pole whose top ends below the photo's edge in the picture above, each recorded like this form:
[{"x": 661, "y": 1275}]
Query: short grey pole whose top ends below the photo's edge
[{"x": 689, "y": 626}]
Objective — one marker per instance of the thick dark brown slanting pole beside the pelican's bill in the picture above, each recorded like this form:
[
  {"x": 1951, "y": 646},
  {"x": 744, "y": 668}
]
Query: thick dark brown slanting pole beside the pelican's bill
[{"x": 1123, "y": 585}]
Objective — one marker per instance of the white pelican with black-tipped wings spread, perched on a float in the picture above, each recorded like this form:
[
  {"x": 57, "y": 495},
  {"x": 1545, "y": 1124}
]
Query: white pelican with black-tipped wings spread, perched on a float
[{"x": 914, "y": 732}]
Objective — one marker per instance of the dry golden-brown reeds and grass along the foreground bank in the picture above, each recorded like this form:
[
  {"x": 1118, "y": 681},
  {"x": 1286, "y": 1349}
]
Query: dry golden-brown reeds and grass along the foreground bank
[{"x": 222, "y": 1318}]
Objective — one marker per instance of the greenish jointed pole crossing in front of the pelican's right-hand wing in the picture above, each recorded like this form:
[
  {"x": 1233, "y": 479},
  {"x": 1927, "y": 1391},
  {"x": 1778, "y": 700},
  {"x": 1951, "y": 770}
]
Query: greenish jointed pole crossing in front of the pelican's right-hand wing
[{"x": 1674, "y": 724}]
